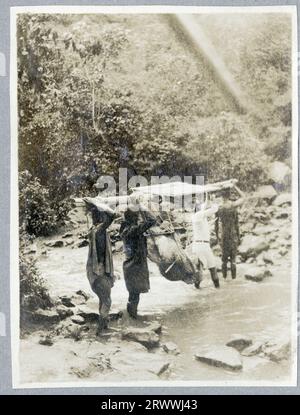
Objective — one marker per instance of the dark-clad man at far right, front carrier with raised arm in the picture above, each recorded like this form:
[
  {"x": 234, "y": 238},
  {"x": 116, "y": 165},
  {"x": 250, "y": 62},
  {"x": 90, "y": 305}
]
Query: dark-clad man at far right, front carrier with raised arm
[{"x": 227, "y": 215}]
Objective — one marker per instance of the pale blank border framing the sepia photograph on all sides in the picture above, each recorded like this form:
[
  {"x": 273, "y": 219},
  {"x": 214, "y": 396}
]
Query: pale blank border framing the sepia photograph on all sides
[{"x": 14, "y": 241}]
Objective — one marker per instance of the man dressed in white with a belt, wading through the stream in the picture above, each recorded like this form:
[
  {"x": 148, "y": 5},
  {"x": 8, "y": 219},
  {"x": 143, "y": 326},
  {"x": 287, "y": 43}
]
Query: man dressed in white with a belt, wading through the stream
[{"x": 202, "y": 251}]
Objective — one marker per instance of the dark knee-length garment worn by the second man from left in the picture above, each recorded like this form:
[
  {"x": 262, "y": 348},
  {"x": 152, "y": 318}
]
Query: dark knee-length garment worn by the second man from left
[{"x": 135, "y": 267}]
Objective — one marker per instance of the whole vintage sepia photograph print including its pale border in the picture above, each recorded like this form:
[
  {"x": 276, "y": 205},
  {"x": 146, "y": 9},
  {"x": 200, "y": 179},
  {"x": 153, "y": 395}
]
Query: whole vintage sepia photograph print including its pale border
[{"x": 154, "y": 196}]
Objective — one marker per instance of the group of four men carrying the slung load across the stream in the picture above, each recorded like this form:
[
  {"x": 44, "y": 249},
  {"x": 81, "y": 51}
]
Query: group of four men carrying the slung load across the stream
[{"x": 136, "y": 221}]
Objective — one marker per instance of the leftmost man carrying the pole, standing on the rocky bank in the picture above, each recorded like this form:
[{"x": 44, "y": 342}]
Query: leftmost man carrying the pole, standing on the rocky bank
[{"x": 100, "y": 271}]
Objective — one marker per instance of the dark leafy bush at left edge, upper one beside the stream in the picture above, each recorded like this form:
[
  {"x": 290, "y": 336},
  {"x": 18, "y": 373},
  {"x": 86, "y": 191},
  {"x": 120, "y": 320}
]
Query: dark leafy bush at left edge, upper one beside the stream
[{"x": 35, "y": 211}]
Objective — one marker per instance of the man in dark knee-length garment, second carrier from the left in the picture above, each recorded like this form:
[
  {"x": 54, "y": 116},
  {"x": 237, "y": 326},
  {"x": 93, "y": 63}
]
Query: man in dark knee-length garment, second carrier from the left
[{"x": 137, "y": 220}]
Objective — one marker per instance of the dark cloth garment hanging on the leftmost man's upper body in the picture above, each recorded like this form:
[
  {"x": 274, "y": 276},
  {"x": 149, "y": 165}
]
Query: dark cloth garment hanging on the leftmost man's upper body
[{"x": 100, "y": 261}]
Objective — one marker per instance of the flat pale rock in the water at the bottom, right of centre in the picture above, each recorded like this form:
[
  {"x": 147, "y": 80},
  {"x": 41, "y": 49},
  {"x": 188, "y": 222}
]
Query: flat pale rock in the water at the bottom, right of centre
[{"x": 225, "y": 357}]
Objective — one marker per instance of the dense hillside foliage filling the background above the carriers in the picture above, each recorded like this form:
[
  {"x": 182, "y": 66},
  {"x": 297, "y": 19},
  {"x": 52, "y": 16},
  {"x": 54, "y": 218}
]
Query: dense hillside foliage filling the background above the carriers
[{"x": 100, "y": 92}]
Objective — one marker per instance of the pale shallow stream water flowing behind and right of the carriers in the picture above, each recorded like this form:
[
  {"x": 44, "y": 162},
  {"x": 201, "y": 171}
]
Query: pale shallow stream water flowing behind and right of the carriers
[{"x": 195, "y": 319}]
